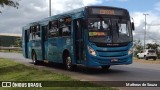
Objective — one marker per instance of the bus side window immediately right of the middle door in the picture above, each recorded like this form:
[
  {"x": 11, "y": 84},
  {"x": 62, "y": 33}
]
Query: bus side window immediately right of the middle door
[{"x": 53, "y": 29}]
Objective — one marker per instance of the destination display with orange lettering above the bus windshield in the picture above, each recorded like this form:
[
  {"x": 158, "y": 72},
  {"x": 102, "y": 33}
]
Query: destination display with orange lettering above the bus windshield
[{"x": 106, "y": 11}]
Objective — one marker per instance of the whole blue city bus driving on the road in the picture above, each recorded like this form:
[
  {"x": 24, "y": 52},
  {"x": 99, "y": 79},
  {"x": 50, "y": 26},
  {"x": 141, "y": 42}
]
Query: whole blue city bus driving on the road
[{"x": 92, "y": 36}]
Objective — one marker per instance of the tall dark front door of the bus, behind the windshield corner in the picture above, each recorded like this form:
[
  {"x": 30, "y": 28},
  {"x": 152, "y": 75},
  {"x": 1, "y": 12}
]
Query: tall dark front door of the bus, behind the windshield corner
[{"x": 78, "y": 41}]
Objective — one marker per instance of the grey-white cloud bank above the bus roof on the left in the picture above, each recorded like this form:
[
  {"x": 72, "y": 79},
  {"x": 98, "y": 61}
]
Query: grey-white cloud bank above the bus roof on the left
[{"x": 12, "y": 20}]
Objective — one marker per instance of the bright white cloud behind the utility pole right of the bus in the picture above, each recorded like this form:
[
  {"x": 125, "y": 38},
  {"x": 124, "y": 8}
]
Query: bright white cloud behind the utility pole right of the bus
[{"x": 153, "y": 26}]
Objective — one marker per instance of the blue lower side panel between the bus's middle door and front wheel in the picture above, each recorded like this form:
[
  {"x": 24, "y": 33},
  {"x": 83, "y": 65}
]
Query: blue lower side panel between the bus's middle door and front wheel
[{"x": 55, "y": 48}]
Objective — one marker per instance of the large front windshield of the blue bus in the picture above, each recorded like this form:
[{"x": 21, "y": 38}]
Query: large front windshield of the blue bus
[{"x": 109, "y": 30}]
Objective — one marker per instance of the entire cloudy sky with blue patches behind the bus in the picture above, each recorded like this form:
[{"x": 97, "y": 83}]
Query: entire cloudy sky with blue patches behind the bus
[{"x": 12, "y": 20}]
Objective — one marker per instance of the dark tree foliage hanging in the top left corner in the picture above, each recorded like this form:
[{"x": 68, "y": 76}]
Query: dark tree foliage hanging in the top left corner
[{"x": 8, "y": 3}]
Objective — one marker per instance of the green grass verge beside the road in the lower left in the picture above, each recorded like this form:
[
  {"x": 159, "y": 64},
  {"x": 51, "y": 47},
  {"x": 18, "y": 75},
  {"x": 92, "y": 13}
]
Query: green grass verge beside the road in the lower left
[{"x": 13, "y": 71}]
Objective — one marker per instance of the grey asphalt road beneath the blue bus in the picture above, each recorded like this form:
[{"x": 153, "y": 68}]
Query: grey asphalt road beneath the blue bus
[{"x": 133, "y": 72}]
